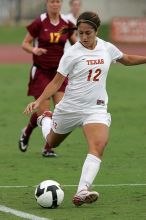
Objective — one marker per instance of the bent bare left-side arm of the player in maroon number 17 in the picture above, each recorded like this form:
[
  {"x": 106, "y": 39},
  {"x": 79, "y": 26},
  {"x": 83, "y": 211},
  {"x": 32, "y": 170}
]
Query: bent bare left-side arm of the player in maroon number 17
[{"x": 28, "y": 47}]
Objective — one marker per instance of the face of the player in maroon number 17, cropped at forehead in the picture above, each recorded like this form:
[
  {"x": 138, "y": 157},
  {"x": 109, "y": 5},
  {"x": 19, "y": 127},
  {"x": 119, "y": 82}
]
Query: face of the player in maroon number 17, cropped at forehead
[{"x": 54, "y": 6}]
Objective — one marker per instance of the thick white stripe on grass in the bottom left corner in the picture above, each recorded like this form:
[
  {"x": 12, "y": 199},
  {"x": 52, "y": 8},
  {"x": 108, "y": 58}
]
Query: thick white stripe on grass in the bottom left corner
[{"x": 20, "y": 214}]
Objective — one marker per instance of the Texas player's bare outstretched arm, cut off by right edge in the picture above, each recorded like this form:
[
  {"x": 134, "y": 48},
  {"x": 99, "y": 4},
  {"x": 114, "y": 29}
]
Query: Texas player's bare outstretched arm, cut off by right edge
[{"x": 130, "y": 60}]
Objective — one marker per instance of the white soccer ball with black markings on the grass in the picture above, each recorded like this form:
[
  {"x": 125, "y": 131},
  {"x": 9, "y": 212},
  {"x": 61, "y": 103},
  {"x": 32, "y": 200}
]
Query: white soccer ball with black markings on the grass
[{"x": 49, "y": 194}]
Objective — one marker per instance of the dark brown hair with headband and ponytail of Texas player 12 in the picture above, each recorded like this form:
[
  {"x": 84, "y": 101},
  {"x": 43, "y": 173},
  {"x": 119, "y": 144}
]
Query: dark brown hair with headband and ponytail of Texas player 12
[{"x": 86, "y": 17}]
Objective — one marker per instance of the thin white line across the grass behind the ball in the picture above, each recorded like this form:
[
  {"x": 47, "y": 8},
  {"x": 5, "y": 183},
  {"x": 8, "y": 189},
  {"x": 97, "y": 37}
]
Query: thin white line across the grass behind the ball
[{"x": 97, "y": 185}]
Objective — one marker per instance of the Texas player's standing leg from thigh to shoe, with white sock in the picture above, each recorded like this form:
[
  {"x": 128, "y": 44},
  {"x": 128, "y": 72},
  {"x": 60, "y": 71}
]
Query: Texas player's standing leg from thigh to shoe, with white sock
[{"x": 97, "y": 138}]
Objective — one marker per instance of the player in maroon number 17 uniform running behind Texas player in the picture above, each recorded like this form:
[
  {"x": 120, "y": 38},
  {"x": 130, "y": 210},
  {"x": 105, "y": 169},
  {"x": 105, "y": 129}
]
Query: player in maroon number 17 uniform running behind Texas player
[{"x": 46, "y": 44}]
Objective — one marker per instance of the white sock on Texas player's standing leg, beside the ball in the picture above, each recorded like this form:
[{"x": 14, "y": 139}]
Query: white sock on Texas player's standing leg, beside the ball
[{"x": 89, "y": 171}]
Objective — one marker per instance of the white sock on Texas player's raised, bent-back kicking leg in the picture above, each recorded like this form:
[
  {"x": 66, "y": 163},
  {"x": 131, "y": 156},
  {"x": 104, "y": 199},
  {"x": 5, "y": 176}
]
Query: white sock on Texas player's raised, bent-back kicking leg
[{"x": 46, "y": 126}]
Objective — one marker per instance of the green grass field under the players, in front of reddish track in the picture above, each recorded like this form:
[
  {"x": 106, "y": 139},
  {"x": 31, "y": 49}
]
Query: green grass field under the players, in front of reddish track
[{"x": 123, "y": 163}]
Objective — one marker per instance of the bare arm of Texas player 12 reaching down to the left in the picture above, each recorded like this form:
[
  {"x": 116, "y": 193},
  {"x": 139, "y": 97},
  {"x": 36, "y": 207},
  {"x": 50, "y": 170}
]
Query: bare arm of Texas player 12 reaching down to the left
[{"x": 49, "y": 91}]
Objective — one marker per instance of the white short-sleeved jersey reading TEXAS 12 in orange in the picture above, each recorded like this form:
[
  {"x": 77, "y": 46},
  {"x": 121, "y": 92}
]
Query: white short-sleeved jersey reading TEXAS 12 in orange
[{"x": 87, "y": 72}]
